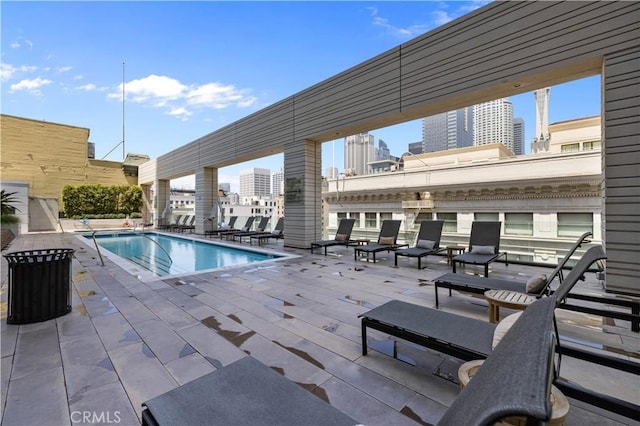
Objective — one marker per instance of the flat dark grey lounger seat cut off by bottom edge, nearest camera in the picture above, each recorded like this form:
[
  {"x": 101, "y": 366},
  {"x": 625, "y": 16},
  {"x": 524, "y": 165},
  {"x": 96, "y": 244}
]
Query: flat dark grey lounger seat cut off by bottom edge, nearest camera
[{"x": 245, "y": 392}]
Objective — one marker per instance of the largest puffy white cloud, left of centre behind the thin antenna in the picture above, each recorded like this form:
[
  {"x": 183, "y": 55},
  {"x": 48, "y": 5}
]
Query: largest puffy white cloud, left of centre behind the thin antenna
[{"x": 179, "y": 99}]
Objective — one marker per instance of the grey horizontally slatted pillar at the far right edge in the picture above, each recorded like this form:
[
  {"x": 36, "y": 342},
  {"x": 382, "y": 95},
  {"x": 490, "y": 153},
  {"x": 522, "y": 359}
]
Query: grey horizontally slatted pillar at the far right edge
[{"x": 621, "y": 163}]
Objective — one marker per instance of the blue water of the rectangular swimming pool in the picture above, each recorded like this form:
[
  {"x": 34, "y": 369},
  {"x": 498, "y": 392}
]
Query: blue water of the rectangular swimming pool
[{"x": 167, "y": 255}]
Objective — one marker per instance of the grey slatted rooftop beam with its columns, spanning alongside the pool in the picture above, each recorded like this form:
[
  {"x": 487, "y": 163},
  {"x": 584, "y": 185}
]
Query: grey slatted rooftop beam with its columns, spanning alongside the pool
[{"x": 443, "y": 70}]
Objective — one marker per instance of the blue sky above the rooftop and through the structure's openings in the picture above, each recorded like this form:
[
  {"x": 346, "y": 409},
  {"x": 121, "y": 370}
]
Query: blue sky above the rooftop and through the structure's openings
[{"x": 193, "y": 67}]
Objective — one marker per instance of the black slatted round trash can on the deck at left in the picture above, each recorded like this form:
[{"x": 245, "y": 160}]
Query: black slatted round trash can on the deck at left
[{"x": 39, "y": 285}]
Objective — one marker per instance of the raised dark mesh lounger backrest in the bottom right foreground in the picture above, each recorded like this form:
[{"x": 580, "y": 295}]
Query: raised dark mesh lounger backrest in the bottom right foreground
[{"x": 516, "y": 378}]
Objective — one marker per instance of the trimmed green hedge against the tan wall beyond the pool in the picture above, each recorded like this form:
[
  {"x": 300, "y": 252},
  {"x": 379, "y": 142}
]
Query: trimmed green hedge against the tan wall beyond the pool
[{"x": 85, "y": 200}]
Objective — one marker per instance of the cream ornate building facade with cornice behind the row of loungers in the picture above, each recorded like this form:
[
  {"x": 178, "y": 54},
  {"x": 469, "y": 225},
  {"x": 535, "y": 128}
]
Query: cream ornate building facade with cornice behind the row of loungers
[{"x": 544, "y": 202}]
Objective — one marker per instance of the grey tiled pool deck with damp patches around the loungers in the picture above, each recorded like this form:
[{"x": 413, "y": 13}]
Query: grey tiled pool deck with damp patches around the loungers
[{"x": 128, "y": 340}]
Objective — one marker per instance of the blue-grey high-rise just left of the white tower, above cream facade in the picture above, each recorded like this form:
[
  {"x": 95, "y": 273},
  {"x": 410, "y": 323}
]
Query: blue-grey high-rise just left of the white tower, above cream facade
[{"x": 448, "y": 130}]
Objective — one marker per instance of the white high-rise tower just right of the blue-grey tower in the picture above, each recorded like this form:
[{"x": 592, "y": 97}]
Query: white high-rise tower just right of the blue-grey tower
[{"x": 493, "y": 123}]
